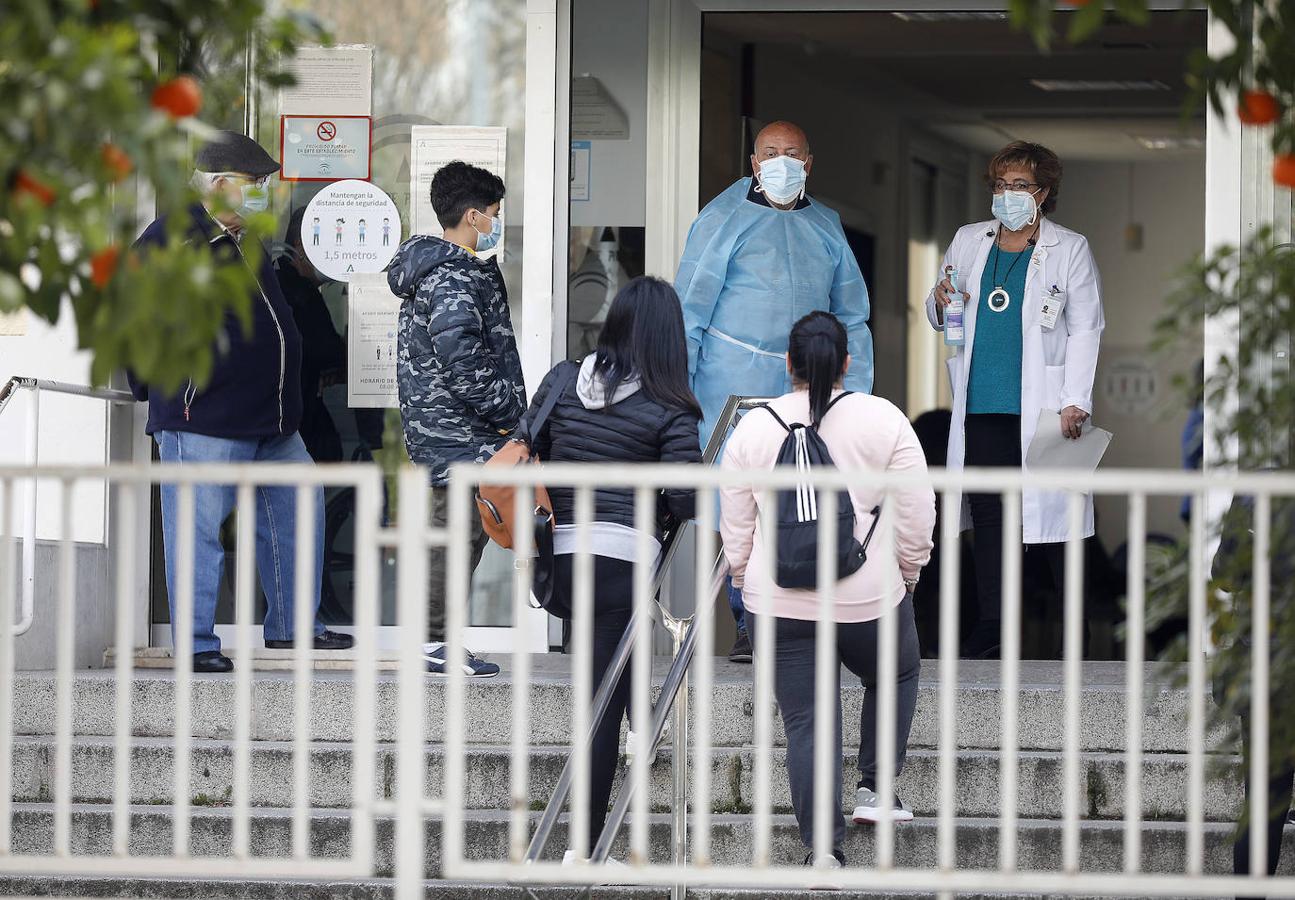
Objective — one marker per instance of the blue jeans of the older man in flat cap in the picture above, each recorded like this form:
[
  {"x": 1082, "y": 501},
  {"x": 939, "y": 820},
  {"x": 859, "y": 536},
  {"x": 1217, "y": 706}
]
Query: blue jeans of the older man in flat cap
[{"x": 276, "y": 532}]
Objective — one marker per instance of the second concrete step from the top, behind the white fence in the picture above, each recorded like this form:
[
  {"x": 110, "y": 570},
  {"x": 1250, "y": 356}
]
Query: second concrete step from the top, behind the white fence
[{"x": 271, "y": 783}]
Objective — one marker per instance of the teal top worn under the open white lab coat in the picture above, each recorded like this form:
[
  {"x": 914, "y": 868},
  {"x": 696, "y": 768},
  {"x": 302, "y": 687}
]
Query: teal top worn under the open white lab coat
[{"x": 995, "y": 384}]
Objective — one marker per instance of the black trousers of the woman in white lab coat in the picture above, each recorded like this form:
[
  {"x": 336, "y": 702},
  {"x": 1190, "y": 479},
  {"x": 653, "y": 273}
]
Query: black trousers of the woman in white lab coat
[{"x": 994, "y": 441}]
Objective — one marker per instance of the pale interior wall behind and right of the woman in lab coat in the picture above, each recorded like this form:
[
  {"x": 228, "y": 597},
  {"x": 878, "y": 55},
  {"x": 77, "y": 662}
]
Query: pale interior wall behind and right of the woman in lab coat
[{"x": 1167, "y": 199}]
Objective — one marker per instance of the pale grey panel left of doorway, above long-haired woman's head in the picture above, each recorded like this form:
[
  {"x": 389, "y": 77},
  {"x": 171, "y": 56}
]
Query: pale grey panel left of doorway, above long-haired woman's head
[{"x": 611, "y": 43}]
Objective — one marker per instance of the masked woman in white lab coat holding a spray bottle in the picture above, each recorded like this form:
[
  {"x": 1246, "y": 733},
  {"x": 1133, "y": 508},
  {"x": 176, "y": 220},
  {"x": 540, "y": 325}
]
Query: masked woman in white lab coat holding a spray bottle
[{"x": 1034, "y": 322}]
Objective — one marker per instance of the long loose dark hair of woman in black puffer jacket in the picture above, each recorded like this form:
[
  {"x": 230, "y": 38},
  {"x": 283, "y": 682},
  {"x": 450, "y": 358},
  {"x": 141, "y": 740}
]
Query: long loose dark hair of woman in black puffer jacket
[{"x": 644, "y": 339}]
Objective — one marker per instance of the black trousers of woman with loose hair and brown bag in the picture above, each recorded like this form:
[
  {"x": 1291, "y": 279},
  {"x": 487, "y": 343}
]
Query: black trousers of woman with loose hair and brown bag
[{"x": 613, "y": 605}]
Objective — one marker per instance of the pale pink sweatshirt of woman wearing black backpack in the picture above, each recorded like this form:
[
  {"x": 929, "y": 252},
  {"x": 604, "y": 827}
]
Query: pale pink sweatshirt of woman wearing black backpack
[{"x": 862, "y": 432}]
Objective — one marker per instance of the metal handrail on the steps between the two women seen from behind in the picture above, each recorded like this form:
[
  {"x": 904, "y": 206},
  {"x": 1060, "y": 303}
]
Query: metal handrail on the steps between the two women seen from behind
[{"x": 686, "y": 647}]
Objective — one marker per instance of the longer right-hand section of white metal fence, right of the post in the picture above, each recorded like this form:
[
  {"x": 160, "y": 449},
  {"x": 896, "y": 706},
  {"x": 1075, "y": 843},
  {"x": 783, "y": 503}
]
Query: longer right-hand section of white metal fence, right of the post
[{"x": 949, "y": 873}]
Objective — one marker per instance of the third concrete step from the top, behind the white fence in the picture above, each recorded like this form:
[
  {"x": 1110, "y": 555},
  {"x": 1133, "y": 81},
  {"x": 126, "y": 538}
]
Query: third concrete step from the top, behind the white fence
[{"x": 486, "y": 837}]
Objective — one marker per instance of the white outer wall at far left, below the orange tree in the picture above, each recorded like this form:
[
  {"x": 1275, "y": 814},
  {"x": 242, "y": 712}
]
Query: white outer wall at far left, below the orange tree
[{"x": 73, "y": 431}]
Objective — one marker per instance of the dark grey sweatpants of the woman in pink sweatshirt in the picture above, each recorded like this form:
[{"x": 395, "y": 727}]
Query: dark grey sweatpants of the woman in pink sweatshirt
[{"x": 794, "y": 688}]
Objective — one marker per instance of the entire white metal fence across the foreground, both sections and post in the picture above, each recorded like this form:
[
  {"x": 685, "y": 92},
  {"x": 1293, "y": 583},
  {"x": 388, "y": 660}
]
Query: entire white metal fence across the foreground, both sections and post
[{"x": 690, "y": 861}]
